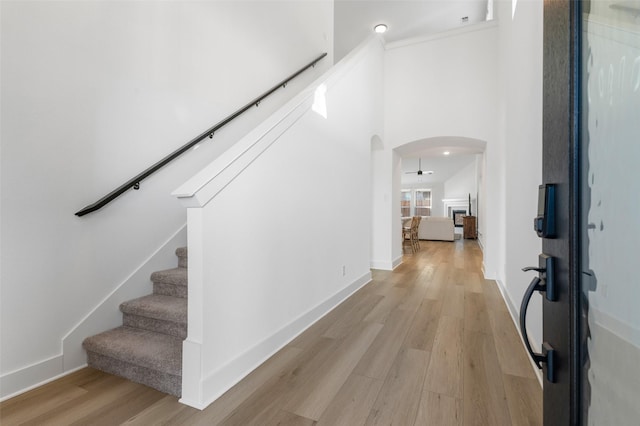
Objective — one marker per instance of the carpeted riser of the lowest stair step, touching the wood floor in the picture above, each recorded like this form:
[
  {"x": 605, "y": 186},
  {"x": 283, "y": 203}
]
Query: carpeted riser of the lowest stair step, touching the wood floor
[{"x": 167, "y": 383}]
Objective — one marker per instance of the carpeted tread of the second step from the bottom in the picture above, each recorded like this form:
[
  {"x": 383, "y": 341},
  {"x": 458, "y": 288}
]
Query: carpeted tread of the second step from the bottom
[{"x": 157, "y": 306}]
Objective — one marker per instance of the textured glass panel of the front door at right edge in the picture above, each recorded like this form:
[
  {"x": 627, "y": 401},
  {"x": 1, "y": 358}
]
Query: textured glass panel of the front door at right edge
[{"x": 610, "y": 150}]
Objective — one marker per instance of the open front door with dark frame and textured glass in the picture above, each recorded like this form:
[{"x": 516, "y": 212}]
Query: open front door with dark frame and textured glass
[{"x": 591, "y": 153}]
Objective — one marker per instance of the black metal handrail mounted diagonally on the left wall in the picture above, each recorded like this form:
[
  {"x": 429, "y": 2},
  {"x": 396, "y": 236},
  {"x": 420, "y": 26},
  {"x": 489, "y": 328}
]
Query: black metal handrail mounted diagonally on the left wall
[{"x": 134, "y": 183}]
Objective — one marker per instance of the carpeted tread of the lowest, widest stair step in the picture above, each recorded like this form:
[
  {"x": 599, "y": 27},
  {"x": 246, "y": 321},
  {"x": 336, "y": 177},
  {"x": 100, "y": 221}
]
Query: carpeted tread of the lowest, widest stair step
[{"x": 143, "y": 348}]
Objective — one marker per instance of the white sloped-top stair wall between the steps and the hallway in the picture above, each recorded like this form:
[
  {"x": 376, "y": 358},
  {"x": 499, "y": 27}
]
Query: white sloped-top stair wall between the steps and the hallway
[{"x": 259, "y": 276}]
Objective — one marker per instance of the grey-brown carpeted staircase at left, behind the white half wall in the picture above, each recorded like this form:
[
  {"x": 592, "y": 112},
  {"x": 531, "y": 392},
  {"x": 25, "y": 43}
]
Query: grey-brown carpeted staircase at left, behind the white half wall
[{"x": 147, "y": 348}]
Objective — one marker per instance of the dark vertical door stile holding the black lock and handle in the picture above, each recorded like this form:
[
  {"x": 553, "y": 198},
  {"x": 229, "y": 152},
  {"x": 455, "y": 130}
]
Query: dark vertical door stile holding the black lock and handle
[{"x": 560, "y": 168}]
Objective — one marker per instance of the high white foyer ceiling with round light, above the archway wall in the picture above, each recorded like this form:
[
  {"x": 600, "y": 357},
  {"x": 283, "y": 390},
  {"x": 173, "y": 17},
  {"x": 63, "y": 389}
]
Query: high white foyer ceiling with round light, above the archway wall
[{"x": 355, "y": 19}]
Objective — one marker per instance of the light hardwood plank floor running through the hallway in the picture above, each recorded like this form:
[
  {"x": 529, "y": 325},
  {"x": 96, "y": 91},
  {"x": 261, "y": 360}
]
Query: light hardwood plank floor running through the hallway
[{"x": 431, "y": 343}]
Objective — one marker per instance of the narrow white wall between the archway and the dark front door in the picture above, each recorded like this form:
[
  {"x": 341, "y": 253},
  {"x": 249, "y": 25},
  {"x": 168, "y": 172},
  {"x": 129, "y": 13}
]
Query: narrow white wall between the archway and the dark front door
[{"x": 521, "y": 74}]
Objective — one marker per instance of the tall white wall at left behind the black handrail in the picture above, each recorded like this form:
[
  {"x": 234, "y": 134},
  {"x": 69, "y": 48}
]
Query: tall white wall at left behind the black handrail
[{"x": 93, "y": 93}]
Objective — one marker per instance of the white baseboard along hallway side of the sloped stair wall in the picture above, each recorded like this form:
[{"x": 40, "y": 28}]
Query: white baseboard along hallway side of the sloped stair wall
[{"x": 225, "y": 377}]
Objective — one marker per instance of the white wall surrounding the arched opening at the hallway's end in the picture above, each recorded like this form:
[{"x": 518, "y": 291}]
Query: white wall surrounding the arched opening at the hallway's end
[{"x": 444, "y": 85}]
